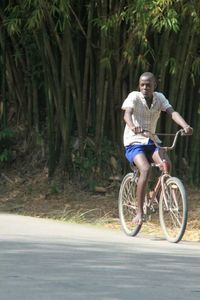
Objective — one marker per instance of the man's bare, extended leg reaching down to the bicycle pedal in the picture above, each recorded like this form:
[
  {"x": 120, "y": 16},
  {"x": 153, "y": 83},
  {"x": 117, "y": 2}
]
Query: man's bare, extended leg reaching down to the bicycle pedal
[{"x": 143, "y": 166}]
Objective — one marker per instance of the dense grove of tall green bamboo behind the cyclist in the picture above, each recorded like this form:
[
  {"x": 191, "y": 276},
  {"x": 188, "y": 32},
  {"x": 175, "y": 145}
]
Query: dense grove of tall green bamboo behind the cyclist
[{"x": 67, "y": 65}]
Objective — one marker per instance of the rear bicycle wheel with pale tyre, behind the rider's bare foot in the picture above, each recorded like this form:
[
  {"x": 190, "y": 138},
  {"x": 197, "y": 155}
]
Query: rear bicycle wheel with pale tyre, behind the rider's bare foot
[{"x": 127, "y": 205}]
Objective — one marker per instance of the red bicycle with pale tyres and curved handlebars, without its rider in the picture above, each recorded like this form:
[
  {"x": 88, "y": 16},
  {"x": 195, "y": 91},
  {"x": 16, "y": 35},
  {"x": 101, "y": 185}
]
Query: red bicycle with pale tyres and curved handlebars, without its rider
[{"x": 168, "y": 197}]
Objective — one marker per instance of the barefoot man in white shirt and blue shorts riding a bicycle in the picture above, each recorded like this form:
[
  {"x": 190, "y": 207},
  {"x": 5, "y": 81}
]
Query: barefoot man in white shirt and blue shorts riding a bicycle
[{"x": 141, "y": 112}]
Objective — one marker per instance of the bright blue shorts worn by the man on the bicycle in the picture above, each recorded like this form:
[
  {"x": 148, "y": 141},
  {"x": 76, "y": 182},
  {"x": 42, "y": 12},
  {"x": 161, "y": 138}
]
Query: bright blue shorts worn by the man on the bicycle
[{"x": 132, "y": 150}]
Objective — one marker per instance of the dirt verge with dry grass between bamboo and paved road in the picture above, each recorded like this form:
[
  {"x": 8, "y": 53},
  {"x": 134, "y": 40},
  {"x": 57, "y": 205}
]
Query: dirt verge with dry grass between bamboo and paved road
[{"x": 34, "y": 195}]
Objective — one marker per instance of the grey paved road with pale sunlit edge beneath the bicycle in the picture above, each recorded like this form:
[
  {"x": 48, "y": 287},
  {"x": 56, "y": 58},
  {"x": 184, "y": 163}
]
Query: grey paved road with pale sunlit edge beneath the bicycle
[{"x": 50, "y": 260}]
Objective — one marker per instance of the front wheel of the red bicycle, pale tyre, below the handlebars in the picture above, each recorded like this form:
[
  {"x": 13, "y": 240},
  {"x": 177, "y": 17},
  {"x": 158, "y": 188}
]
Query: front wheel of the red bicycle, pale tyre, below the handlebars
[{"x": 173, "y": 209}]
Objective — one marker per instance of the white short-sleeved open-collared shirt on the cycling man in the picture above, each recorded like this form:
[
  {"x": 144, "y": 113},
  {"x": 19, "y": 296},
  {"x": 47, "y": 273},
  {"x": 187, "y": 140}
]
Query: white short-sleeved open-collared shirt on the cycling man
[{"x": 143, "y": 116}]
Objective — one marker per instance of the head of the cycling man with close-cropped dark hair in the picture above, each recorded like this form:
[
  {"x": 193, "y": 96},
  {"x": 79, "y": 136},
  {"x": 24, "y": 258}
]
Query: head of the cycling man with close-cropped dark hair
[{"x": 147, "y": 84}]
